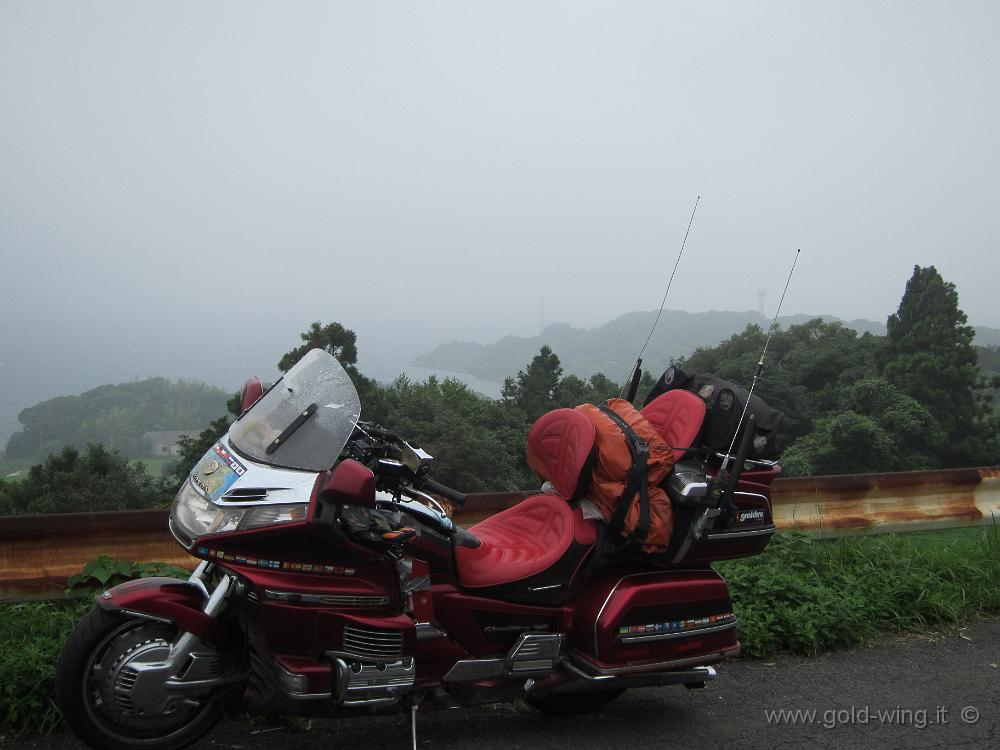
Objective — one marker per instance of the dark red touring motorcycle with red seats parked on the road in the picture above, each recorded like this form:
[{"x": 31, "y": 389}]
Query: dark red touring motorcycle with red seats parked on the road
[{"x": 349, "y": 590}]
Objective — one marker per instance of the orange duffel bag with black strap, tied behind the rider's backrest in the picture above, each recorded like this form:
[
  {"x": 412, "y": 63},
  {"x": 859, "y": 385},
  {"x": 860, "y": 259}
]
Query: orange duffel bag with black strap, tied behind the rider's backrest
[{"x": 631, "y": 460}]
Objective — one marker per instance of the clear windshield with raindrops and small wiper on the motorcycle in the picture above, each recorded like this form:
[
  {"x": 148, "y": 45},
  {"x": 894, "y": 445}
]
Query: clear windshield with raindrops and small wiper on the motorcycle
[{"x": 305, "y": 420}]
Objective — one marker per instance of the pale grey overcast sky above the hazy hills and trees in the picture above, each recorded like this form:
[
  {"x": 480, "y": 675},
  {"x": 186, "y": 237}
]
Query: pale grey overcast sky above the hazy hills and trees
[{"x": 185, "y": 186}]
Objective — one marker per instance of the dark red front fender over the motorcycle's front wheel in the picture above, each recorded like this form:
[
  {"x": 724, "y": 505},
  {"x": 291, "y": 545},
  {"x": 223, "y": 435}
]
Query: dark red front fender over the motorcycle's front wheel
[{"x": 179, "y": 602}]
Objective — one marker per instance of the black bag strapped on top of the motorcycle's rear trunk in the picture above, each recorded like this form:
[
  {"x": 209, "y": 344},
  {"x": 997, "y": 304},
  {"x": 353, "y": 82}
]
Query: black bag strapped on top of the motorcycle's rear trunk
[{"x": 724, "y": 403}]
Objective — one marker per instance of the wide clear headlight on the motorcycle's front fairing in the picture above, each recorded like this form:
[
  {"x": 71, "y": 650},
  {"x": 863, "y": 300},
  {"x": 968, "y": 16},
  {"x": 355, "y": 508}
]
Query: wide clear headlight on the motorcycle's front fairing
[{"x": 196, "y": 516}]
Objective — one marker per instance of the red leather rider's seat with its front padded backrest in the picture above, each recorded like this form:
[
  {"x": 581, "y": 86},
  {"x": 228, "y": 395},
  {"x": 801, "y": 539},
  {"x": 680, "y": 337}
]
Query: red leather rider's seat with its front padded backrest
[{"x": 531, "y": 537}]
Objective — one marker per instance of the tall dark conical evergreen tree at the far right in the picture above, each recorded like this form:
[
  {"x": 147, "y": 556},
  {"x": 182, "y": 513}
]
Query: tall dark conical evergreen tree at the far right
[{"x": 930, "y": 357}]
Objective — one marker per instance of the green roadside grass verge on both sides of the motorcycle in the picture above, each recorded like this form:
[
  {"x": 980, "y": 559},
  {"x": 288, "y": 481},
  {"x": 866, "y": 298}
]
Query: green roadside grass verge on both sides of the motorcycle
[{"x": 802, "y": 596}]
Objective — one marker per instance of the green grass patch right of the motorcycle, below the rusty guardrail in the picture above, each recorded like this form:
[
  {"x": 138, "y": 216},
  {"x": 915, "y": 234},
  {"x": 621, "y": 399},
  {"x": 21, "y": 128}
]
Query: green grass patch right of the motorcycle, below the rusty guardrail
[{"x": 806, "y": 597}]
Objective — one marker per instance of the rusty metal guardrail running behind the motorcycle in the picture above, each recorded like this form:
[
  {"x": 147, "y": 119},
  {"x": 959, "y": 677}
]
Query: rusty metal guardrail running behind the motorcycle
[{"x": 38, "y": 553}]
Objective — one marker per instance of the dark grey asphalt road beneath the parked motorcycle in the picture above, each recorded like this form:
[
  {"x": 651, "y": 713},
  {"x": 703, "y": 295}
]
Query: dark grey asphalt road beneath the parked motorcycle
[{"x": 921, "y": 684}]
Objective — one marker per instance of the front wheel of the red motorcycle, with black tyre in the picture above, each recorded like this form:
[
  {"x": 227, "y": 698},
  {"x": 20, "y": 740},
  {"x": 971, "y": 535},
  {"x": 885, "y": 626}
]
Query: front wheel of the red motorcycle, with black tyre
[{"x": 98, "y": 683}]
